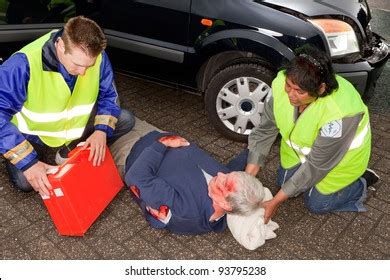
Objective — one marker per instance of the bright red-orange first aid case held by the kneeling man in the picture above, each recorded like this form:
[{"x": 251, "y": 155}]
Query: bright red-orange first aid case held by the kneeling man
[{"x": 81, "y": 192}]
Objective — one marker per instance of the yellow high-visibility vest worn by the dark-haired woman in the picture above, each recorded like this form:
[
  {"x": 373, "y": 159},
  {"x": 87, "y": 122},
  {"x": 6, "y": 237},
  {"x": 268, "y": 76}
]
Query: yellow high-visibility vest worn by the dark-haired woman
[{"x": 298, "y": 137}]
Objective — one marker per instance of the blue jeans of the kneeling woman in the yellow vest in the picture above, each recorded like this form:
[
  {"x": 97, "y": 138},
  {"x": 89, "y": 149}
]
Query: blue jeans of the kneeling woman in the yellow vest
[{"x": 348, "y": 199}]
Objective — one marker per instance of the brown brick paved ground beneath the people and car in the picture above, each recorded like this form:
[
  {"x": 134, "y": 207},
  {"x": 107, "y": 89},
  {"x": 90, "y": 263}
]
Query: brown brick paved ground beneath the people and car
[{"x": 26, "y": 231}]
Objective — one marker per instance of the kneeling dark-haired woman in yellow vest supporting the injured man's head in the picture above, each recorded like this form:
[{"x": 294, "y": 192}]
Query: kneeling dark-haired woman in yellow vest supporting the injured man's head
[{"x": 325, "y": 137}]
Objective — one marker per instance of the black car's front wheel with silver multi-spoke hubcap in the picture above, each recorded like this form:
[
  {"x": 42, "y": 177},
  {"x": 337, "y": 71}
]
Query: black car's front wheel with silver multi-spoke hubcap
[{"x": 234, "y": 99}]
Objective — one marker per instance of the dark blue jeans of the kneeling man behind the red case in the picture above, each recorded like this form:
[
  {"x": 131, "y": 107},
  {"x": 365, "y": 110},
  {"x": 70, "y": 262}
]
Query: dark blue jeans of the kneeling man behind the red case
[{"x": 125, "y": 123}]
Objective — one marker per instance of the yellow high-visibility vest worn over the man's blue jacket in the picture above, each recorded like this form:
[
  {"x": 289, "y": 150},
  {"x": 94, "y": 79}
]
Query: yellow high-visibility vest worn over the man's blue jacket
[{"x": 51, "y": 111}]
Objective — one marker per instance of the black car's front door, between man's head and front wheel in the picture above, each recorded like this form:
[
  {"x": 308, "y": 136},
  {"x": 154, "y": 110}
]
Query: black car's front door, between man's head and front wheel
[{"x": 157, "y": 28}]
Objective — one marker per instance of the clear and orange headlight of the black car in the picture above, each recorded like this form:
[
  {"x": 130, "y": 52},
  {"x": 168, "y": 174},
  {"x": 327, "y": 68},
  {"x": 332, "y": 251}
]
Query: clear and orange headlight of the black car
[{"x": 340, "y": 36}]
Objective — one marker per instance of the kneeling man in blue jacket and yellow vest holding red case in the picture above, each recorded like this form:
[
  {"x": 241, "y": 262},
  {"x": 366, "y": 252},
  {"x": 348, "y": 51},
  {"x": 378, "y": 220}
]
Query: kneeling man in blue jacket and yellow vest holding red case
[{"x": 56, "y": 92}]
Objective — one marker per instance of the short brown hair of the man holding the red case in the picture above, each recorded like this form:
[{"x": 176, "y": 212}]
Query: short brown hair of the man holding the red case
[{"x": 84, "y": 33}]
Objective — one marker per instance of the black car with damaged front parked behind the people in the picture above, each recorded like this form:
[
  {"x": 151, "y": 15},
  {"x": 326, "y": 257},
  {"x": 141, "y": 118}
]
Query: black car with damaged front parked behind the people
[{"x": 227, "y": 50}]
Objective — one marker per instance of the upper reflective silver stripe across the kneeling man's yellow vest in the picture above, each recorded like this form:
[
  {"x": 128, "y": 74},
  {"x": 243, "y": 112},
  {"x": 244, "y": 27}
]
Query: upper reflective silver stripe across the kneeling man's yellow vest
[{"x": 53, "y": 117}]
